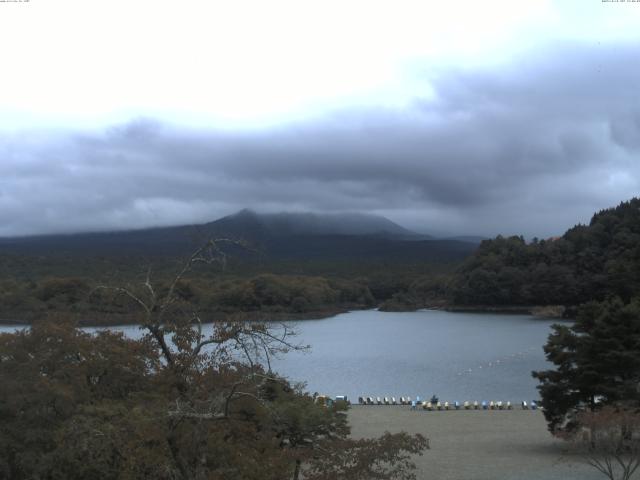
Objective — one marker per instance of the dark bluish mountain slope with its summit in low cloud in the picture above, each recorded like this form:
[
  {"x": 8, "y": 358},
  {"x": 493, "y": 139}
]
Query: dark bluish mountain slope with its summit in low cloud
[{"x": 274, "y": 236}]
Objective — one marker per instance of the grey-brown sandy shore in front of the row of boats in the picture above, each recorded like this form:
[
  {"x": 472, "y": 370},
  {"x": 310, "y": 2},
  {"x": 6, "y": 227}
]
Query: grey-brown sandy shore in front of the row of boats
[{"x": 477, "y": 445}]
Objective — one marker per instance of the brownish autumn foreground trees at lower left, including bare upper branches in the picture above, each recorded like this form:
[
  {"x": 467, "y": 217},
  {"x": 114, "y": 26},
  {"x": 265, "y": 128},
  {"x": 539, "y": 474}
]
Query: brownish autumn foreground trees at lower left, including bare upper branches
[{"x": 186, "y": 401}]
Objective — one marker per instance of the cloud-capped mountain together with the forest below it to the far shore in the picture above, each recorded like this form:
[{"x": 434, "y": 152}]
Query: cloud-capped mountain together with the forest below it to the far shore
[{"x": 277, "y": 266}]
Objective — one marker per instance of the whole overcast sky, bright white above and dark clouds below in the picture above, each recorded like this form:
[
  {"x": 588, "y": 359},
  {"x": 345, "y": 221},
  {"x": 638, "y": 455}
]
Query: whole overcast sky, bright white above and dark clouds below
[{"x": 456, "y": 118}]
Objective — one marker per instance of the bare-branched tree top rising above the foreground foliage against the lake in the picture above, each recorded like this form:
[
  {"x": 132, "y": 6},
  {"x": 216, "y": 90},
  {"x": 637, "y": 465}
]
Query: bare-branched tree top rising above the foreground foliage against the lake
[{"x": 175, "y": 326}]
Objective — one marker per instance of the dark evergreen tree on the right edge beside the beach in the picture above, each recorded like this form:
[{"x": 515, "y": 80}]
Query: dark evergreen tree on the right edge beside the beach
[{"x": 597, "y": 363}]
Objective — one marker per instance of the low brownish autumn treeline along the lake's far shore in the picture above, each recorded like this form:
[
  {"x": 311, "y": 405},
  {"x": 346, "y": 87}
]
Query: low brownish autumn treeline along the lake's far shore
[{"x": 260, "y": 296}]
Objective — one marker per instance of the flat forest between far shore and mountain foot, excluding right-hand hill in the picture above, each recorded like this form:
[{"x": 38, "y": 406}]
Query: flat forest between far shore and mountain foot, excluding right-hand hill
[{"x": 32, "y": 286}]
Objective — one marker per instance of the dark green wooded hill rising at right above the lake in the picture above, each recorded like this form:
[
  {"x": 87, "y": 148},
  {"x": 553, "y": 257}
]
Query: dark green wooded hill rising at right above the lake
[{"x": 589, "y": 262}]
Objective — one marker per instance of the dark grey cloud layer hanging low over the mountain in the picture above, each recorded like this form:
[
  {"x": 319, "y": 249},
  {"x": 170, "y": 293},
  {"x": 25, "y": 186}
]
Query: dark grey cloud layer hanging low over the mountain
[{"x": 532, "y": 148}]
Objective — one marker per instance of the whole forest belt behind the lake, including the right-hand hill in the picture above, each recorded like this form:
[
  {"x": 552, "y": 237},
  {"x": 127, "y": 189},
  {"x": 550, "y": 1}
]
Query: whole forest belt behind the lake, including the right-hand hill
[{"x": 589, "y": 262}]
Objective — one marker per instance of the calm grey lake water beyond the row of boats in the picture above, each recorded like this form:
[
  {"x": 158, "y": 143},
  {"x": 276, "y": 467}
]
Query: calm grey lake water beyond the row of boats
[{"x": 457, "y": 356}]
